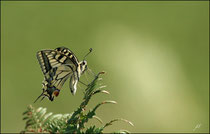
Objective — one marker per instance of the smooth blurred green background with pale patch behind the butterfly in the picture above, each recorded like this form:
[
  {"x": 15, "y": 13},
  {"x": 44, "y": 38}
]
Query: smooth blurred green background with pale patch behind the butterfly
[{"x": 156, "y": 55}]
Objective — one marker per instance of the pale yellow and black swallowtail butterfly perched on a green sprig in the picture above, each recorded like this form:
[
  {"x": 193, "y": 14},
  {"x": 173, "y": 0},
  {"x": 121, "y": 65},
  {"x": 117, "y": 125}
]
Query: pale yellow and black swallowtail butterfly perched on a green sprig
[{"x": 57, "y": 66}]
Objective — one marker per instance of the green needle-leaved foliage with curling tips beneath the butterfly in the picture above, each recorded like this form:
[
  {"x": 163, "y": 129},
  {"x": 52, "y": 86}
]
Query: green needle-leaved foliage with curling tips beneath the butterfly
[{"x": 39, "y": 121}]
